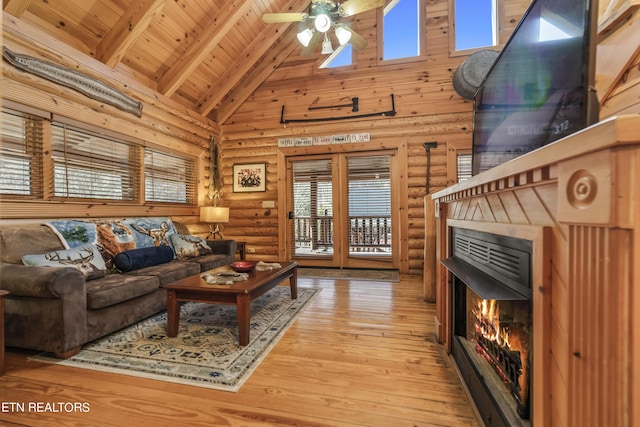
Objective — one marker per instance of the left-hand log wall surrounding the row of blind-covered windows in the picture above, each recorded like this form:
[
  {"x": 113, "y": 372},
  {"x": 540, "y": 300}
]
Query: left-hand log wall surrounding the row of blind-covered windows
[{"x": 163, "y": 122}]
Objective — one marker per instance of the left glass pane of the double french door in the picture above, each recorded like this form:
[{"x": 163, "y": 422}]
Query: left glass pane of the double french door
[{"x": 312, "y": 216}]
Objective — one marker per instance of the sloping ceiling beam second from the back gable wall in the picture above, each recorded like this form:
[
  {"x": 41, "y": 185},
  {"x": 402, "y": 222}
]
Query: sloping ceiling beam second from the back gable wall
[{"x": 243, "y": 64}]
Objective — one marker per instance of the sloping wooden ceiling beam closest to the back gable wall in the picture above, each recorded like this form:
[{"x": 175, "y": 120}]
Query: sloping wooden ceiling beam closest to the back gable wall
[{"x": 261, "y": 71}]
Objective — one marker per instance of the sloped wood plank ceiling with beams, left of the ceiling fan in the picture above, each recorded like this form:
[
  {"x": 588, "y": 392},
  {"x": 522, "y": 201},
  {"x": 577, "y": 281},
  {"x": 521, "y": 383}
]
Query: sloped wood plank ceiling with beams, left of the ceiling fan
[{"x": 208, "y": 55}]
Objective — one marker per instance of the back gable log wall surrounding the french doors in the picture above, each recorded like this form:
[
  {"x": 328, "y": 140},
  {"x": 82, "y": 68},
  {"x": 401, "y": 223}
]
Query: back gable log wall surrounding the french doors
[{"x": 428, "y": 109}]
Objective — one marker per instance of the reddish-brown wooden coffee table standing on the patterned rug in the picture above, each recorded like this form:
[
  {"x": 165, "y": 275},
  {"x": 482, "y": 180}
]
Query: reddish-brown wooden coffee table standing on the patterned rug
[{"x": 240, "y": 294}]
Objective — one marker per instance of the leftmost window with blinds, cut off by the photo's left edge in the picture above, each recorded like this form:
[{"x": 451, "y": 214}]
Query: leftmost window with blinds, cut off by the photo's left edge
[{"x": 21, "y": 154}]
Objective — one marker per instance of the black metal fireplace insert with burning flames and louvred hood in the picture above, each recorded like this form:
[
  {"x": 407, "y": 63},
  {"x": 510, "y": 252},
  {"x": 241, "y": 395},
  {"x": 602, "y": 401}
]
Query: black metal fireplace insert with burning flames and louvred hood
[{"x": 491, "y": 311}]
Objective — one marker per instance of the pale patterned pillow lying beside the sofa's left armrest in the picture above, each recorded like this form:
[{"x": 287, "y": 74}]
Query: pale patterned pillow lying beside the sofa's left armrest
[{"x": 85, "y": 258}]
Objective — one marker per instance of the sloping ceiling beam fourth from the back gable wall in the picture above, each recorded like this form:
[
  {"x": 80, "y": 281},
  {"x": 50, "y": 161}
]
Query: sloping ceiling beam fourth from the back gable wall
[{"x": 133, "y": 23}]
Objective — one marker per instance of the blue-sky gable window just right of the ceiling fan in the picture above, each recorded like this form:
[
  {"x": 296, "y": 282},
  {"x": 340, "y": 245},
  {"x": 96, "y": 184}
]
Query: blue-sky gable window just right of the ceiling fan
[{"x": 401, "y": 29}]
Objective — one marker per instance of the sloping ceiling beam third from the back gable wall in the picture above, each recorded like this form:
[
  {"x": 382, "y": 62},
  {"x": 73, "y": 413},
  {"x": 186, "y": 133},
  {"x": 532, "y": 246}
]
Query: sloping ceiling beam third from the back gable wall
[{"x": 206, "y": 42}]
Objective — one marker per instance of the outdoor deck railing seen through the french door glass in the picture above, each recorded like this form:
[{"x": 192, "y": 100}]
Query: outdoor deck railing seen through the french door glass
[{"x": 366, "y": 233}]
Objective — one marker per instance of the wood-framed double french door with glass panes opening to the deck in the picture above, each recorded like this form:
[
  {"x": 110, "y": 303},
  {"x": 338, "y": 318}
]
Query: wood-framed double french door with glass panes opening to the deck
[{"x": 342, "y": 210}]
